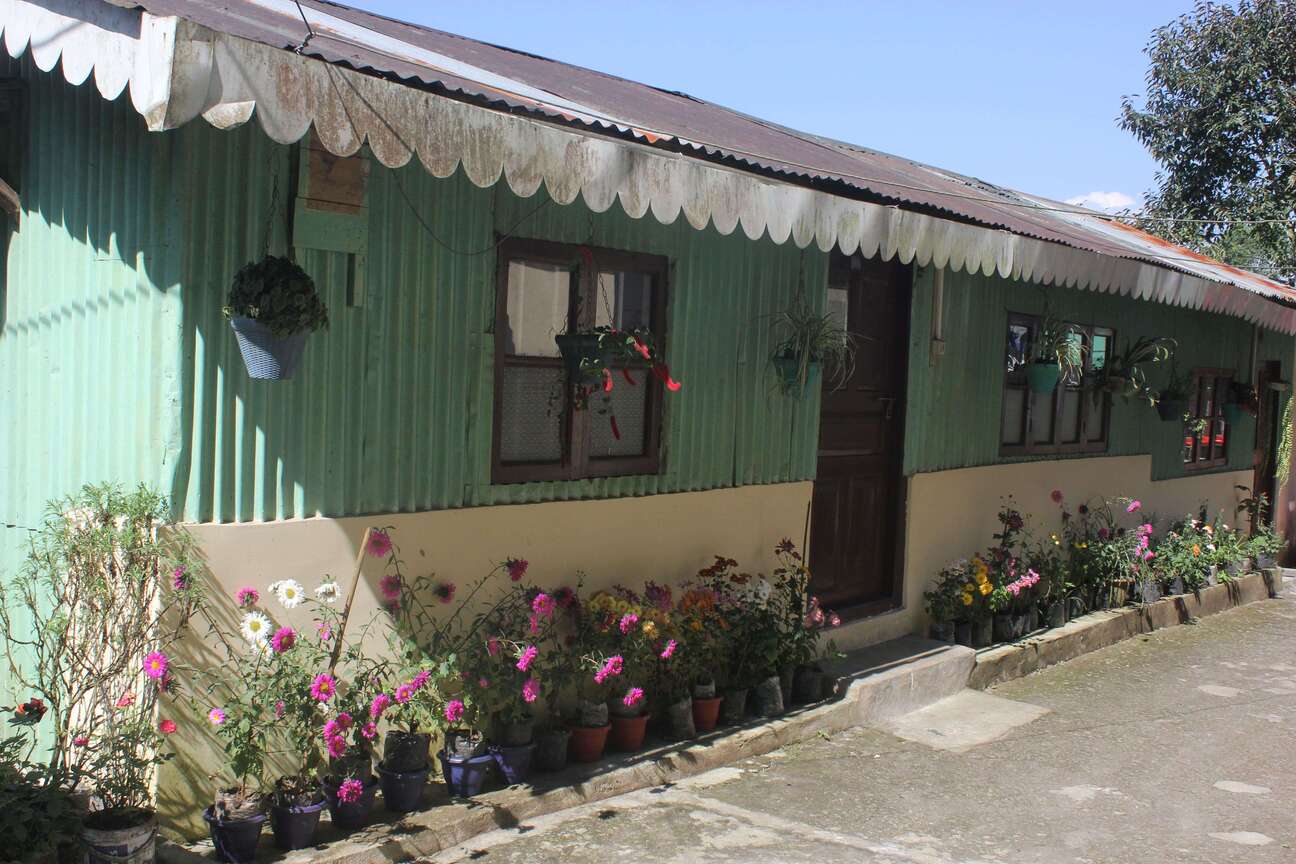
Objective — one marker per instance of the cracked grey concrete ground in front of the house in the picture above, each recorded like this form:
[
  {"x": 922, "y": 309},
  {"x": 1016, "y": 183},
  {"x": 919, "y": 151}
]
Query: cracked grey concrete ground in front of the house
[{"x": 1174, "y": 747}]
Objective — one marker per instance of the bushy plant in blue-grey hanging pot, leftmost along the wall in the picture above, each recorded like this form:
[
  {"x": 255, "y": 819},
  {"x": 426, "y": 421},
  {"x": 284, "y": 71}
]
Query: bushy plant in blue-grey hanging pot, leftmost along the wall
[{"x": 273, "y": 308}]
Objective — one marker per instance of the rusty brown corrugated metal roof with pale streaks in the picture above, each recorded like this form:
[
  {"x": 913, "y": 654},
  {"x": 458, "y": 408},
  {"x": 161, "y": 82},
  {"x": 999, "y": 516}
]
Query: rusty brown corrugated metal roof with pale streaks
[{"x": 607, "y": 106}]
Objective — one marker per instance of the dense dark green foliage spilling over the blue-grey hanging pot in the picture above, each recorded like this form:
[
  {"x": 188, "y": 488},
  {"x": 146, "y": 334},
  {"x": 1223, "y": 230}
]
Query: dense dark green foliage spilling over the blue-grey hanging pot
[{"x": 279, "y": 295}]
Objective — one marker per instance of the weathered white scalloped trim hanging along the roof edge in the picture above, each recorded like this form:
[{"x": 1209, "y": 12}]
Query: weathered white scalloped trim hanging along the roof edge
[{"x": 178, "y": 71}]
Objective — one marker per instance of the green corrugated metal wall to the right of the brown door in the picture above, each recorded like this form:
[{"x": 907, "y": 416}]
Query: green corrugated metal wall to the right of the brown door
[{"x": 966, "y": 387}]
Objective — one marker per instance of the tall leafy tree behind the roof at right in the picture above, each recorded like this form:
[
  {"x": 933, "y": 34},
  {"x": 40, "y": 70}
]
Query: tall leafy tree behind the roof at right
[{"x": 1220, "y": 117}]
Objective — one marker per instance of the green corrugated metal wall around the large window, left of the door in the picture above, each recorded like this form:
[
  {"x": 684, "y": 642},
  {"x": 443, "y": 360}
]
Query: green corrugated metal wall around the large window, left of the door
[{"x": 392, "y": 407}]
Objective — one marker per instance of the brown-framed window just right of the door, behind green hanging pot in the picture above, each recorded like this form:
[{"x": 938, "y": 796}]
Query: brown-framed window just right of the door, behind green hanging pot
[{"x": 1067, "y": 420}]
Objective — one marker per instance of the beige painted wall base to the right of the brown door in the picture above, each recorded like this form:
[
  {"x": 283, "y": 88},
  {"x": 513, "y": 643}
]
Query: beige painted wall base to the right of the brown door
[{"x": 953, "y": 515}]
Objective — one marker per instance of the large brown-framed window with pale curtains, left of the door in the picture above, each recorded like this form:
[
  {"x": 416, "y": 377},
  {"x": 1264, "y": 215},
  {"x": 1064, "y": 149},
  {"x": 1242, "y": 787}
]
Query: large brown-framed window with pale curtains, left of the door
[{"x": 548, "y": 290}]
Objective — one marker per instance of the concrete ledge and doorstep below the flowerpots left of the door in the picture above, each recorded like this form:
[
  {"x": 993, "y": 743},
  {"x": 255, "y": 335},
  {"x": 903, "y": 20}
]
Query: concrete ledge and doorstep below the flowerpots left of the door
[{"x": 873, "y": 685}]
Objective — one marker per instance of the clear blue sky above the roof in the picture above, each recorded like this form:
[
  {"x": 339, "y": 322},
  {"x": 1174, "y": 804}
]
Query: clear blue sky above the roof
[{"x": 1019, "y": 94}]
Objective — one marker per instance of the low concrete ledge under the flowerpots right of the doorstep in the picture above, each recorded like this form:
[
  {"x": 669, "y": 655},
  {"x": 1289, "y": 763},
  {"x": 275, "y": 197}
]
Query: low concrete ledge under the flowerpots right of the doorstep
[{"x": 1104, "y": 629}]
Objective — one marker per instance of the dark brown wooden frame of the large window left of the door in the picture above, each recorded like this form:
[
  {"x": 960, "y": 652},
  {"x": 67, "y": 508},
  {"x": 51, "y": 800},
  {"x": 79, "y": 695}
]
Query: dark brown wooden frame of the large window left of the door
[{"x": 576, "y": 462}]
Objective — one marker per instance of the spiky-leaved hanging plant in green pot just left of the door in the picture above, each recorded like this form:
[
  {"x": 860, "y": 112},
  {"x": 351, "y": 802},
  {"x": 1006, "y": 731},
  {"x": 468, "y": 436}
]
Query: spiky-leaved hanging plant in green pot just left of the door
[{"x": 807, "y": 341}]
